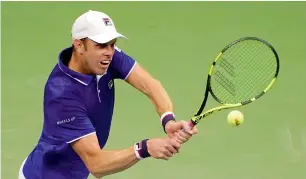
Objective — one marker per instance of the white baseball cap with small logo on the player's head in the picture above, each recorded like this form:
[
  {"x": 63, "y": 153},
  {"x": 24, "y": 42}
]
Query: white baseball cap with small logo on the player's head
[{"x": 96, "y": 26}]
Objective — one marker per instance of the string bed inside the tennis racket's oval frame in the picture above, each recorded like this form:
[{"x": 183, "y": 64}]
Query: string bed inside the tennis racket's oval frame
[{"x": 243, "y": 71}]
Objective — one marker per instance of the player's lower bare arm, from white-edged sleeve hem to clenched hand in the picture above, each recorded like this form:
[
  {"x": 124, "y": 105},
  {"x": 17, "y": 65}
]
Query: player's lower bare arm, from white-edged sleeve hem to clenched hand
[{"x": 105, "y": 162}]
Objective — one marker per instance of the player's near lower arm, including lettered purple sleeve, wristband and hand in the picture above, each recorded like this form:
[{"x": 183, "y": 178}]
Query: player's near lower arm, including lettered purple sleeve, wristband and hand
[{"x": 79, "y": 132}]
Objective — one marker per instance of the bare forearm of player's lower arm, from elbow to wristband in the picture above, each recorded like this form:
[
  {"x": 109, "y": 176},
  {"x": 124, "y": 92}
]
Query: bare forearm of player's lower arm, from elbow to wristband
[{"x": 110, "y": 162}]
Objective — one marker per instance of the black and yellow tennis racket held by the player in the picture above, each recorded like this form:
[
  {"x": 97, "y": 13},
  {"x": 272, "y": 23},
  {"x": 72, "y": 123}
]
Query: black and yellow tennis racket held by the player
[{"x": 241, "y": 73}]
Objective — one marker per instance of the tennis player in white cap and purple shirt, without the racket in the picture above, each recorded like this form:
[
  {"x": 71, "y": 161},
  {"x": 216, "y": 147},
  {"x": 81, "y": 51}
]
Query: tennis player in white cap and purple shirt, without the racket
[{"x": 78, "y": 108}]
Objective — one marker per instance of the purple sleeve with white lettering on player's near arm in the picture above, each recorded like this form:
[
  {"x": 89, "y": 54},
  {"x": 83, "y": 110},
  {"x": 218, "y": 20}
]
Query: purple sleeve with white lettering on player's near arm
[{"x": 67, "y": 120}]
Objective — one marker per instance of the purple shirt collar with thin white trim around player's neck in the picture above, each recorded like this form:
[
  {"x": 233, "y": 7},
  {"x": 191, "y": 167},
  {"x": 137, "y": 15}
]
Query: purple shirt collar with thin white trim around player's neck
[{"x": 65, "y": 55}]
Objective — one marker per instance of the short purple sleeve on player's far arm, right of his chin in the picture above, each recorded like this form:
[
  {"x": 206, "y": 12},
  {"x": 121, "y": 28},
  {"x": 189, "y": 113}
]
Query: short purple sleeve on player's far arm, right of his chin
[{"x": 122, "y": 64}]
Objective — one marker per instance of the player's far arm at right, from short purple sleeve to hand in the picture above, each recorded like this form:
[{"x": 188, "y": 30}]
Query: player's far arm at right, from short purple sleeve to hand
[{"x": 126, "y": 68}]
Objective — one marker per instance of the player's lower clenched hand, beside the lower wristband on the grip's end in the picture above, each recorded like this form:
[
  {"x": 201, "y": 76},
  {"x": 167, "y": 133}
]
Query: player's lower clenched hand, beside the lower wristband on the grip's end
[{"x": 163, "y": 148}]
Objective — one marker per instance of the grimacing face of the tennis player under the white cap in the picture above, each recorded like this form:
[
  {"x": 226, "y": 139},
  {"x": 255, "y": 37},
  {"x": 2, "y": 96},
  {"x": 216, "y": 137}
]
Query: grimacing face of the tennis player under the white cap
[{"x": 97, "y": 57}]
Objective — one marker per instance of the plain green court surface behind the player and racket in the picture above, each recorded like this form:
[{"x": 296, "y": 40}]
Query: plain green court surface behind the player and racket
[{"x": 176, "y": 42}]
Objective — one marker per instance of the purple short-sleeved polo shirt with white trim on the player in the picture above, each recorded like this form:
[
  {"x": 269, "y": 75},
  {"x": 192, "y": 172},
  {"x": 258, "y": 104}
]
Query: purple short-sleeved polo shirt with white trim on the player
[{"x": 75, "y": 105}]
